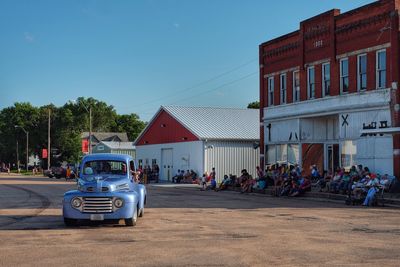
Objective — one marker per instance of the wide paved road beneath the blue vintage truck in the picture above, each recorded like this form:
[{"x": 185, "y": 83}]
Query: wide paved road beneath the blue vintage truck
[{"x": 188, "y": 227}]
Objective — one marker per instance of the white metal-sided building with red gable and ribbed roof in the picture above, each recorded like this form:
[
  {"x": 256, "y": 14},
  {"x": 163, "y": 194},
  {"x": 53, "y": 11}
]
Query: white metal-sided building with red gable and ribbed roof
[{"x": 200, "y": 138}]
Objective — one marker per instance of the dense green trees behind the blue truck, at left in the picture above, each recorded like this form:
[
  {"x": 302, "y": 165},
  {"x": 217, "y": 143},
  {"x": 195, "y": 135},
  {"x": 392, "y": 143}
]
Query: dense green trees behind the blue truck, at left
[{"x": 67, "y": 124}]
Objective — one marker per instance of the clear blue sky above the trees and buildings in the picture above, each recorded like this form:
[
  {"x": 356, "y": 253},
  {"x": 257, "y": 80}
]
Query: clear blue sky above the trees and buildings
[{"x": 138, "y": 55}]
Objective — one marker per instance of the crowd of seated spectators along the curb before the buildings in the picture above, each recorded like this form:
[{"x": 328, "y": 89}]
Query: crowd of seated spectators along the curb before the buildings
[{"x": 359, "y": 183}]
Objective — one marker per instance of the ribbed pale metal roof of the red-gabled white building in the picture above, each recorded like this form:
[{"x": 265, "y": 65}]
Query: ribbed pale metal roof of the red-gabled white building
[{"x": 218, "y": 123}]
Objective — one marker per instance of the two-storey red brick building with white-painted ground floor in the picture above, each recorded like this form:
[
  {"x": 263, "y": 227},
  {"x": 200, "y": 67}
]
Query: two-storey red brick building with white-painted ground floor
[{"x": 327, "y": 86}]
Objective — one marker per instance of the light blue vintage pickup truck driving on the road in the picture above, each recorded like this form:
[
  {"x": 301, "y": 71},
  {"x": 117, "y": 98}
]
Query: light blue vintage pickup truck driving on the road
[{"x": 107, "y": 190}]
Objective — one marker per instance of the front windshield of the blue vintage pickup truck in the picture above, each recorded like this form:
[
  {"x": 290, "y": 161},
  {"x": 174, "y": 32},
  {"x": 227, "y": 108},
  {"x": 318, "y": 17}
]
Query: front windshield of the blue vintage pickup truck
[{"x": 104, "y": 167}]
